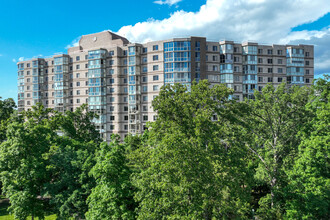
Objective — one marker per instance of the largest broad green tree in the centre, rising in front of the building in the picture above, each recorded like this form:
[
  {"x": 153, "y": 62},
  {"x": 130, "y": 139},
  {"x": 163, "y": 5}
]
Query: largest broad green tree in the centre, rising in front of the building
[{"x": 188, "y": 167}]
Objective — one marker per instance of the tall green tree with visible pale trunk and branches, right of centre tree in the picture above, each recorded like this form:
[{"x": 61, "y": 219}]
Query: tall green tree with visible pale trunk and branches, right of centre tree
[{"x": 272, "y": 122}]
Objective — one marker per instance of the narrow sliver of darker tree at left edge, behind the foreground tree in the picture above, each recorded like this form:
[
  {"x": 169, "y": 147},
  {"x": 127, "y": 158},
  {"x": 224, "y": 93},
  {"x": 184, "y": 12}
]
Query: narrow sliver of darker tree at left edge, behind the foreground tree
[{"x": 7, "y": 108}]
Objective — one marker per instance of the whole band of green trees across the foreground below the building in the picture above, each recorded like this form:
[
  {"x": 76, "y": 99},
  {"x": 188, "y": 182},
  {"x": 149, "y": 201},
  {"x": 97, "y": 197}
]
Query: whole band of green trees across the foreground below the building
[{"x": 205, "y": 157}]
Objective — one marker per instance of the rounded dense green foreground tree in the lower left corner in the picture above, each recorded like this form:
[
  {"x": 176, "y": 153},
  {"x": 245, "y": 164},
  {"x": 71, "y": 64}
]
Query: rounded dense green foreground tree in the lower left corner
[{"x": 22, "y": 162}]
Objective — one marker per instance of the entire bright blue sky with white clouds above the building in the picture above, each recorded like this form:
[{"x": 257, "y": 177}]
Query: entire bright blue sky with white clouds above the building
[{"x": 42, "y": 28}]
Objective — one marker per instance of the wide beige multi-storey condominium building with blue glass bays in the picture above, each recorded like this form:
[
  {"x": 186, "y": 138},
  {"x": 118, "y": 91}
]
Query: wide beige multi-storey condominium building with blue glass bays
[{"x": 119, "y": 79}]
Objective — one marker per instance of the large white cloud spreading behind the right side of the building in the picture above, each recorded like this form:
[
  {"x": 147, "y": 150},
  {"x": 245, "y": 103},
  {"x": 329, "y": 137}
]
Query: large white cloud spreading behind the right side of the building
[{"x": 264, "y": 21}]
